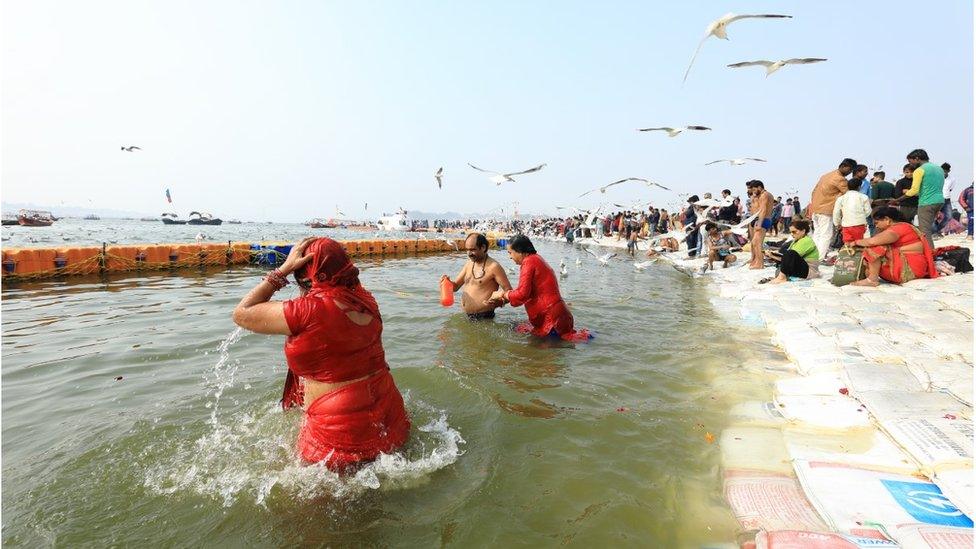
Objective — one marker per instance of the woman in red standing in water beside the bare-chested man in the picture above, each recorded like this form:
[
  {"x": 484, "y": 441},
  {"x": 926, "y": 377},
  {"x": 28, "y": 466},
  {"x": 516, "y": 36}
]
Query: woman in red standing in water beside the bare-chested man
[{"x": 539, "y": 292}]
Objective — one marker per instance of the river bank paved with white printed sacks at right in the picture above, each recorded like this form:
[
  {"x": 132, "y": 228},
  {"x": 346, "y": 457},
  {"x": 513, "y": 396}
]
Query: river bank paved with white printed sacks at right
[{"x": 870, "y": 437}]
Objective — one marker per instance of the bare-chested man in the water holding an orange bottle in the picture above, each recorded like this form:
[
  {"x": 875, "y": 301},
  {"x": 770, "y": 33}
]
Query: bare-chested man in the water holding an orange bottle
[{"x": 480, "y": 276}]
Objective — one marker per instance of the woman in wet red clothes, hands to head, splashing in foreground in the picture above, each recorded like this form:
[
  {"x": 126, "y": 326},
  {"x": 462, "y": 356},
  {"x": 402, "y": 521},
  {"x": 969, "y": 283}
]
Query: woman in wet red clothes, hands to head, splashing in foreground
[{"x": 337, "y": 368}]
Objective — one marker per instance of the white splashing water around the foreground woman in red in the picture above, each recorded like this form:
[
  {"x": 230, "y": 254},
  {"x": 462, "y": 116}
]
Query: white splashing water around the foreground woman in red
[{"x": 249, "y": 451}]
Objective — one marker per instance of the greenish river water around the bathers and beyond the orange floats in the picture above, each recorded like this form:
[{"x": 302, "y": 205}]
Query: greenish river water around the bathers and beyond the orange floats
[{"x": 135, "y": 413}]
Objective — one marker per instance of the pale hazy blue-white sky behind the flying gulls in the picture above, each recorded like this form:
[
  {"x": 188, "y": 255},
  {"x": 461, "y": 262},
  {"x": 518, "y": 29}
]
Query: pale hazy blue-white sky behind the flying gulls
[{"x": 282, "y": 110}]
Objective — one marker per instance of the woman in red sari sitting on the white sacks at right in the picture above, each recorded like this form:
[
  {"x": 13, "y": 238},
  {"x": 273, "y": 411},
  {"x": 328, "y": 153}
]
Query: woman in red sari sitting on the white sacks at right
[{"x": 898, "y": 252}]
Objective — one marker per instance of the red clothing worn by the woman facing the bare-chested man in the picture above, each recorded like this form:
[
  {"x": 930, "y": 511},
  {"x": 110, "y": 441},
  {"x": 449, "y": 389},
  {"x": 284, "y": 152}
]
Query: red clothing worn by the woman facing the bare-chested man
[{"x": 539, "y": 292}]
